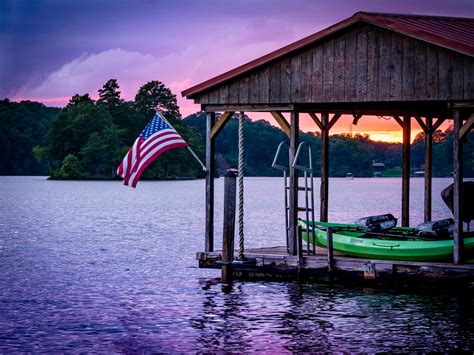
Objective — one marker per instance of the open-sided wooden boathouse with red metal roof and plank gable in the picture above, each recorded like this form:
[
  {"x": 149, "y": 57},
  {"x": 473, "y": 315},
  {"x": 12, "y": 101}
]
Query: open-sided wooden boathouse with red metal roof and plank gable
[{"x": 407, "y": 67}]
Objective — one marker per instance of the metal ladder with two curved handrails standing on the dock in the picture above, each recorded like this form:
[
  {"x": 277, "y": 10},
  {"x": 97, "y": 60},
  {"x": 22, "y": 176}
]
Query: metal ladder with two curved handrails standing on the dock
[{"x": 307, "y": 188}]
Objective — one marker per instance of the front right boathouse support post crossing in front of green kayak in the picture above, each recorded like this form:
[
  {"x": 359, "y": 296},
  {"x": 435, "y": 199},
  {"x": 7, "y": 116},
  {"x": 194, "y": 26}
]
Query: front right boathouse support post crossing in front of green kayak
[{"x": 458, "y": 178}]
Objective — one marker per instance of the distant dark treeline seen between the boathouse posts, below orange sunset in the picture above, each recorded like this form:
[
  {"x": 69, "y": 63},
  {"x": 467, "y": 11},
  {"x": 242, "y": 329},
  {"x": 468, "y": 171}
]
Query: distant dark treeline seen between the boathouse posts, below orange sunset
[{"x": 347, "y": 152}]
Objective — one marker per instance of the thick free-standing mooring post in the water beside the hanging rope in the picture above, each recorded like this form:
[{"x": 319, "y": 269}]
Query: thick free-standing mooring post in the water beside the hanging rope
[{"x": 229, "y": 225}]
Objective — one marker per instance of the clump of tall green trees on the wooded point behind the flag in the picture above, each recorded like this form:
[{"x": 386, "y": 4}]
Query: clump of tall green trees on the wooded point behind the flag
[{"x": 88, "y": 138}]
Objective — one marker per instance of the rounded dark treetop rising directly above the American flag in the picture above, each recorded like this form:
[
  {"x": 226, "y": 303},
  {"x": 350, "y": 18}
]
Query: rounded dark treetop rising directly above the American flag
[{"x": 154, "y": 95}]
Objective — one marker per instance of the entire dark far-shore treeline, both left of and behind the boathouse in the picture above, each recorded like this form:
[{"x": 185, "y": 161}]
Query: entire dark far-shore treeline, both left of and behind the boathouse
[{"x": 88, "y": 139}]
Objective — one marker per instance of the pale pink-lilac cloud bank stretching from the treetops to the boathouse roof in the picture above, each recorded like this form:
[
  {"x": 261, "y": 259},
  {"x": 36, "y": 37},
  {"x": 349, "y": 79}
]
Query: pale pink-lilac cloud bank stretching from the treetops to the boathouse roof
[{"x": 178, "y": 70}]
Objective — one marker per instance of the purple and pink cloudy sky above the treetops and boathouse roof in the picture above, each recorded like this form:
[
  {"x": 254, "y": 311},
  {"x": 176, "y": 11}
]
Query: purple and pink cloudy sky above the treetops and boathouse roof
[{"x": 52, "y": 49}]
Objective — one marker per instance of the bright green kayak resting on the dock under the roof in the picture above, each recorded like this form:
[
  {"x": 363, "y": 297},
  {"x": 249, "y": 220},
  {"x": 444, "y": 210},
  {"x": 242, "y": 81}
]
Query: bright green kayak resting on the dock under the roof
[{"x": 398, "y": 243}]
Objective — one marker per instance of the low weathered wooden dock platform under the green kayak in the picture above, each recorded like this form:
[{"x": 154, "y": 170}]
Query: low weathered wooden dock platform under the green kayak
[{"x": 275, "y": 263}]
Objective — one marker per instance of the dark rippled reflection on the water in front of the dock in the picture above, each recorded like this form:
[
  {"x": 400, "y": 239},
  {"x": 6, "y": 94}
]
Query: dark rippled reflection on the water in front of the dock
[{"x": 325, "y": 318}]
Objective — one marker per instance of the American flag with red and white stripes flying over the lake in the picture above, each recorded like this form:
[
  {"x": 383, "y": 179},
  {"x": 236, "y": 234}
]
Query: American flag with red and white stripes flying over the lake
[{"x": 157, "y": 137}]
